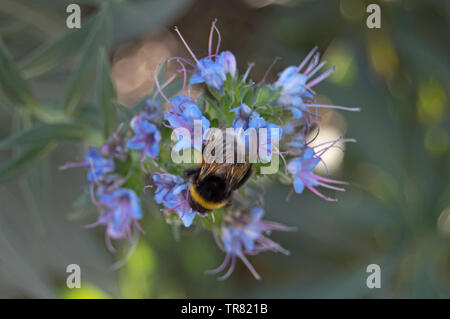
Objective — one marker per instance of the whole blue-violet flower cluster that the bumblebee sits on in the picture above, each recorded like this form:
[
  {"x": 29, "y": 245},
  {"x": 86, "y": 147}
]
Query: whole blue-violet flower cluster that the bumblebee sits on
[{"x": 140, "y": 152}]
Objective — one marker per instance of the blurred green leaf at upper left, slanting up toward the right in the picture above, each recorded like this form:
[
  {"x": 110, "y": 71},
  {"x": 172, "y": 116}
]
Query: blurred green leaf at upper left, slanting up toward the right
[{"x": 50, "y": 55}]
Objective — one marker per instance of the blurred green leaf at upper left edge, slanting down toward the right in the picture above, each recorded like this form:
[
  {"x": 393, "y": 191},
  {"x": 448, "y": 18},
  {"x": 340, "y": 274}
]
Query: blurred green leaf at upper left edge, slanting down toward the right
[{"x": 12, "y": 82}]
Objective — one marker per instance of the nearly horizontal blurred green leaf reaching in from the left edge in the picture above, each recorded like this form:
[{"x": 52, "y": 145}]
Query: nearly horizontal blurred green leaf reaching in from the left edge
[{"x": 43, "y": 134}]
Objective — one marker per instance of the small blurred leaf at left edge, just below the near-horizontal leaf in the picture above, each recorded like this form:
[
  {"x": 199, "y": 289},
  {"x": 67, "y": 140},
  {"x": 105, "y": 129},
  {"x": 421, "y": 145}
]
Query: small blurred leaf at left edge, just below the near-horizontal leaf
[{"x": 21, "y": 163}]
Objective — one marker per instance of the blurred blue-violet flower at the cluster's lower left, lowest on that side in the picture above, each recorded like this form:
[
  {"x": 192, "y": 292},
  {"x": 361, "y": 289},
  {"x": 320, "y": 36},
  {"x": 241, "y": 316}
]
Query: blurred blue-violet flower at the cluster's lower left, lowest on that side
[{"x": 122, "y": 207}]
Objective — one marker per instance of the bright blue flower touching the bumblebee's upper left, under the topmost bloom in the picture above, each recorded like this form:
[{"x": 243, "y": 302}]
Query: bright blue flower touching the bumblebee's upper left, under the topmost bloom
[{"x": 183, "y": 113}]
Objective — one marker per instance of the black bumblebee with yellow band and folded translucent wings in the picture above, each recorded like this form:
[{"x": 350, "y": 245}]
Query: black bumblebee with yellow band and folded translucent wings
[{"x": 212, "y": 184}]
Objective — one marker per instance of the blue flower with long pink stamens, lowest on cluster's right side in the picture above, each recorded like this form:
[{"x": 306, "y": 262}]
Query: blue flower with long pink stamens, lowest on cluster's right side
[{"x": 302, "y": 170}]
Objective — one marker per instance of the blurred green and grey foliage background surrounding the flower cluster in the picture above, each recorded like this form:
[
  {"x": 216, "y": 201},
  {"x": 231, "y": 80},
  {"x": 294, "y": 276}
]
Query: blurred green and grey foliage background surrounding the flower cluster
[{"x": 395, "y": 213}]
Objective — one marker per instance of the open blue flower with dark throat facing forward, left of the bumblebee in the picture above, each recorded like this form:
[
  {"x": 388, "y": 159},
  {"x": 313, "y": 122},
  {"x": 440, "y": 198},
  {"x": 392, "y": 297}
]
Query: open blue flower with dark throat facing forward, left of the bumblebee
[{"x": 147, "y": 137}]
